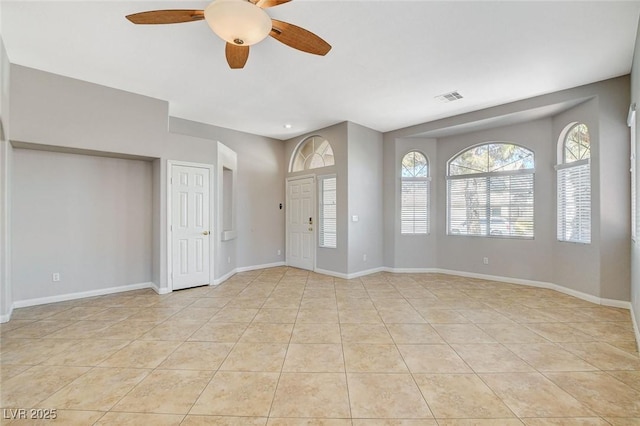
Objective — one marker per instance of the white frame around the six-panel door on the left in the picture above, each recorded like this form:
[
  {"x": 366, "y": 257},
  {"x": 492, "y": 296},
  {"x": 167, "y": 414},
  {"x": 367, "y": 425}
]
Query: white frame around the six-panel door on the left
[{"x": 212, "y": 224}]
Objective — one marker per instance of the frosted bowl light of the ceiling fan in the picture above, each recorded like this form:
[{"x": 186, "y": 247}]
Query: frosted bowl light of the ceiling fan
[{"x": 238, "y": 21}]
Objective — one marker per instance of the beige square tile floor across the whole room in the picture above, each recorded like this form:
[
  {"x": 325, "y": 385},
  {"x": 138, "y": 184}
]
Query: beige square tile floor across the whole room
[{"x": 282, "y": 346}]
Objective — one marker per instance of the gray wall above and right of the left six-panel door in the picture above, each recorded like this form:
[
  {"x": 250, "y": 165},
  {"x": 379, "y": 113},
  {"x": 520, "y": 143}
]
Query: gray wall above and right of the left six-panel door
[{"x": 260, "y": 190}]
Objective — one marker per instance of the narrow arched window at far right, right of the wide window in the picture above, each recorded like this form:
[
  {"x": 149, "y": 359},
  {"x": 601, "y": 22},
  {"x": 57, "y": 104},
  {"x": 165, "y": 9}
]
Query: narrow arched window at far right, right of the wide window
[{"x": 574, "y": 184}]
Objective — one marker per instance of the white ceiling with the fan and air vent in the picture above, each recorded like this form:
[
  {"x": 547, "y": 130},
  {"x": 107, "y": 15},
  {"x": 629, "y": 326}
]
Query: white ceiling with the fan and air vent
[{"x": 389, "y": 58}]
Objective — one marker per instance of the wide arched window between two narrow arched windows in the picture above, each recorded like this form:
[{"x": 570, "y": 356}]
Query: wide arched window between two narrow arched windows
[{"x": 490, "y": 191}]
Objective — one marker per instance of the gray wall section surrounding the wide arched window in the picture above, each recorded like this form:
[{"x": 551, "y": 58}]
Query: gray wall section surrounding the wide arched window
[{"x": 516, "y": 258}]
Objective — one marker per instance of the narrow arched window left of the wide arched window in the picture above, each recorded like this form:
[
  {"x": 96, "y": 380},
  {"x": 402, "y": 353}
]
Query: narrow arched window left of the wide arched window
[{"x": 414, "y": 204}]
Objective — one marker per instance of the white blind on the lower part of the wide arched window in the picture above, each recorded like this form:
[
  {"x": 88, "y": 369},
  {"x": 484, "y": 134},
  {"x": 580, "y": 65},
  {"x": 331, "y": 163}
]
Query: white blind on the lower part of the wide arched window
[{"x": 492, "y": 204}]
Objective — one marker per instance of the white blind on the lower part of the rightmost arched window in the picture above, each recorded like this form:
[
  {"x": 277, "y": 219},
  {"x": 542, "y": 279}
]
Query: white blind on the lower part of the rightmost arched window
[{"x": 574, "y": 202}]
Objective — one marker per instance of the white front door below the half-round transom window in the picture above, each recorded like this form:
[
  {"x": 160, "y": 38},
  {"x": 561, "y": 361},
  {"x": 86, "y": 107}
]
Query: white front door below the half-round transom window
[{"x": 301, "y": 223}]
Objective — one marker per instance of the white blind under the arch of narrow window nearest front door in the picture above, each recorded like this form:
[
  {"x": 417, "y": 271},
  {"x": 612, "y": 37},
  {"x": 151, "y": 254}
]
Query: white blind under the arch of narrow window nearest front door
[{"x": 414, "y": 211}]
